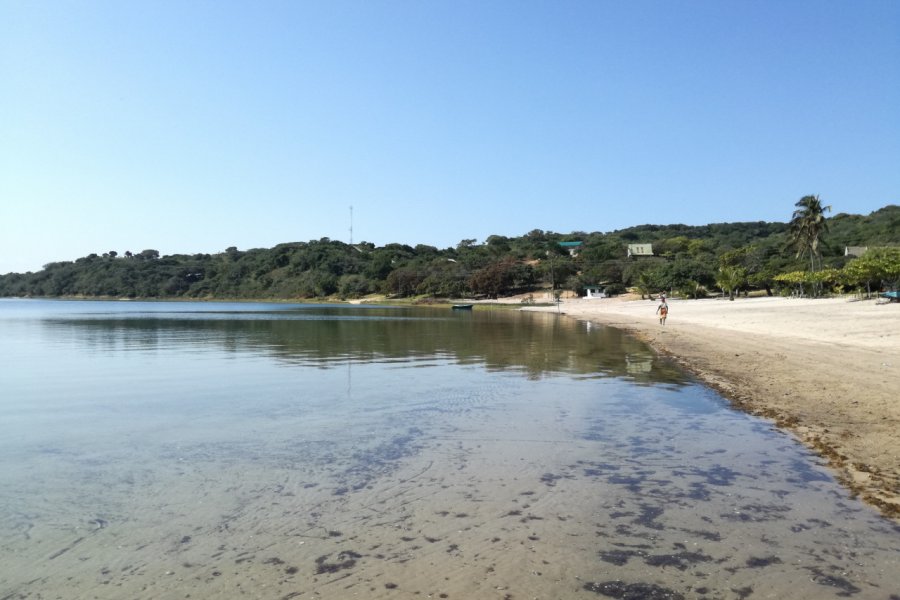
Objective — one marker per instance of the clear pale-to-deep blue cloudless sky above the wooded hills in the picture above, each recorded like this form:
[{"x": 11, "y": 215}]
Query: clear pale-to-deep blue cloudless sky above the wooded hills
[{"x": 193, "y": 126}]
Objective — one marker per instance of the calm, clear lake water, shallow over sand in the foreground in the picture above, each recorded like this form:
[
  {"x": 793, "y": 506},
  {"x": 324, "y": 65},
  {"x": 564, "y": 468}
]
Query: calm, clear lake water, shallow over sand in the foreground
[{"x": 214, "y": 450}]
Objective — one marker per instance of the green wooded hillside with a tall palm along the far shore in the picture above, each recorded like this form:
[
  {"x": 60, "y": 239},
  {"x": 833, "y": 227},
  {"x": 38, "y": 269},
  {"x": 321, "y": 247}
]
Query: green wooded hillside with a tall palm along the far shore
[{"x": 805, "y": 254}]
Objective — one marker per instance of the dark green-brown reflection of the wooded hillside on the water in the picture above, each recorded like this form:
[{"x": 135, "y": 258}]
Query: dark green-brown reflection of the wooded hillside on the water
[{"x": 325, "y": 336}]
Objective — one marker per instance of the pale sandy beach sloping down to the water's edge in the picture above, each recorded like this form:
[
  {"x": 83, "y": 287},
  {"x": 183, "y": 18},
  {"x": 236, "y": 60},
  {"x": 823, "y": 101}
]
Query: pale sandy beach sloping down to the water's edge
[{"x": 826, "y": 369}]
